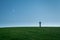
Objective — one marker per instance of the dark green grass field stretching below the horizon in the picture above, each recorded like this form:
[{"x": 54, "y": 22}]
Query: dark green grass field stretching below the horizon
[{"x": 30, "y": 33}]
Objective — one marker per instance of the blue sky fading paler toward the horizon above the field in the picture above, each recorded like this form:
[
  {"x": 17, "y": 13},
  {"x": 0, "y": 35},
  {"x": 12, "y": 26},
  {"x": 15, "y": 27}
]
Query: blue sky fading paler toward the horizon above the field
[{"x": 29, "y": 12}]
